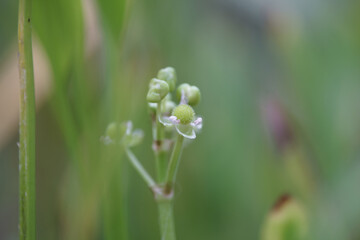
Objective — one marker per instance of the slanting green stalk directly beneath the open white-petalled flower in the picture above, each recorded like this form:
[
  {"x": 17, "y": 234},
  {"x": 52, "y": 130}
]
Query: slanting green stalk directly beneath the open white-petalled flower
[{"x": 173, "y": 164}]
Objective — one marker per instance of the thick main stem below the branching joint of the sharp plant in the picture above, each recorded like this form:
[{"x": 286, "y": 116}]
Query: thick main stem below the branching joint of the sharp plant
[{"x": 166, "y": 219}]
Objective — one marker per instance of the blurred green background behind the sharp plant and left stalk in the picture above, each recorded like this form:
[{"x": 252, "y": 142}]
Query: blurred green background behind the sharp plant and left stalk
[{"x": 280, "y": 83}]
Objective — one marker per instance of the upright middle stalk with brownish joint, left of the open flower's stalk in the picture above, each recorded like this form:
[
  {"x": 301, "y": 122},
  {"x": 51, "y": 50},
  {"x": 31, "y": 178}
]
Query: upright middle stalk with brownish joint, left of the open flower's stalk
[{"x": 160, "y": 154}]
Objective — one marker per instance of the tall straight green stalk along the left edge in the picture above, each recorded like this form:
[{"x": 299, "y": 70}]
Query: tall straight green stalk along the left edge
[{"x": 27, "y": 218}]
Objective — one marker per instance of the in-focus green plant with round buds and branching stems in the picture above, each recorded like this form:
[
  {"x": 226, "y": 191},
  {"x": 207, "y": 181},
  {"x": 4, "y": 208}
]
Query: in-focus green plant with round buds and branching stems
[{"x": 167, "y": 117}]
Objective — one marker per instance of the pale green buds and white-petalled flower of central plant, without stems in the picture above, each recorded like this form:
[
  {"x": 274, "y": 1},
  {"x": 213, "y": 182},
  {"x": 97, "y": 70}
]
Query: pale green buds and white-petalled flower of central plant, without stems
[{"x": 180, "y": 117}]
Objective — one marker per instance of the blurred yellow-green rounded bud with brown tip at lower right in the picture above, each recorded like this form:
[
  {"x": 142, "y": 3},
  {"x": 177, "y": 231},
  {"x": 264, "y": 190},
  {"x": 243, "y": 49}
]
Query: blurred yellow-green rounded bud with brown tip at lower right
[{"x": 286, "y": 221}]
